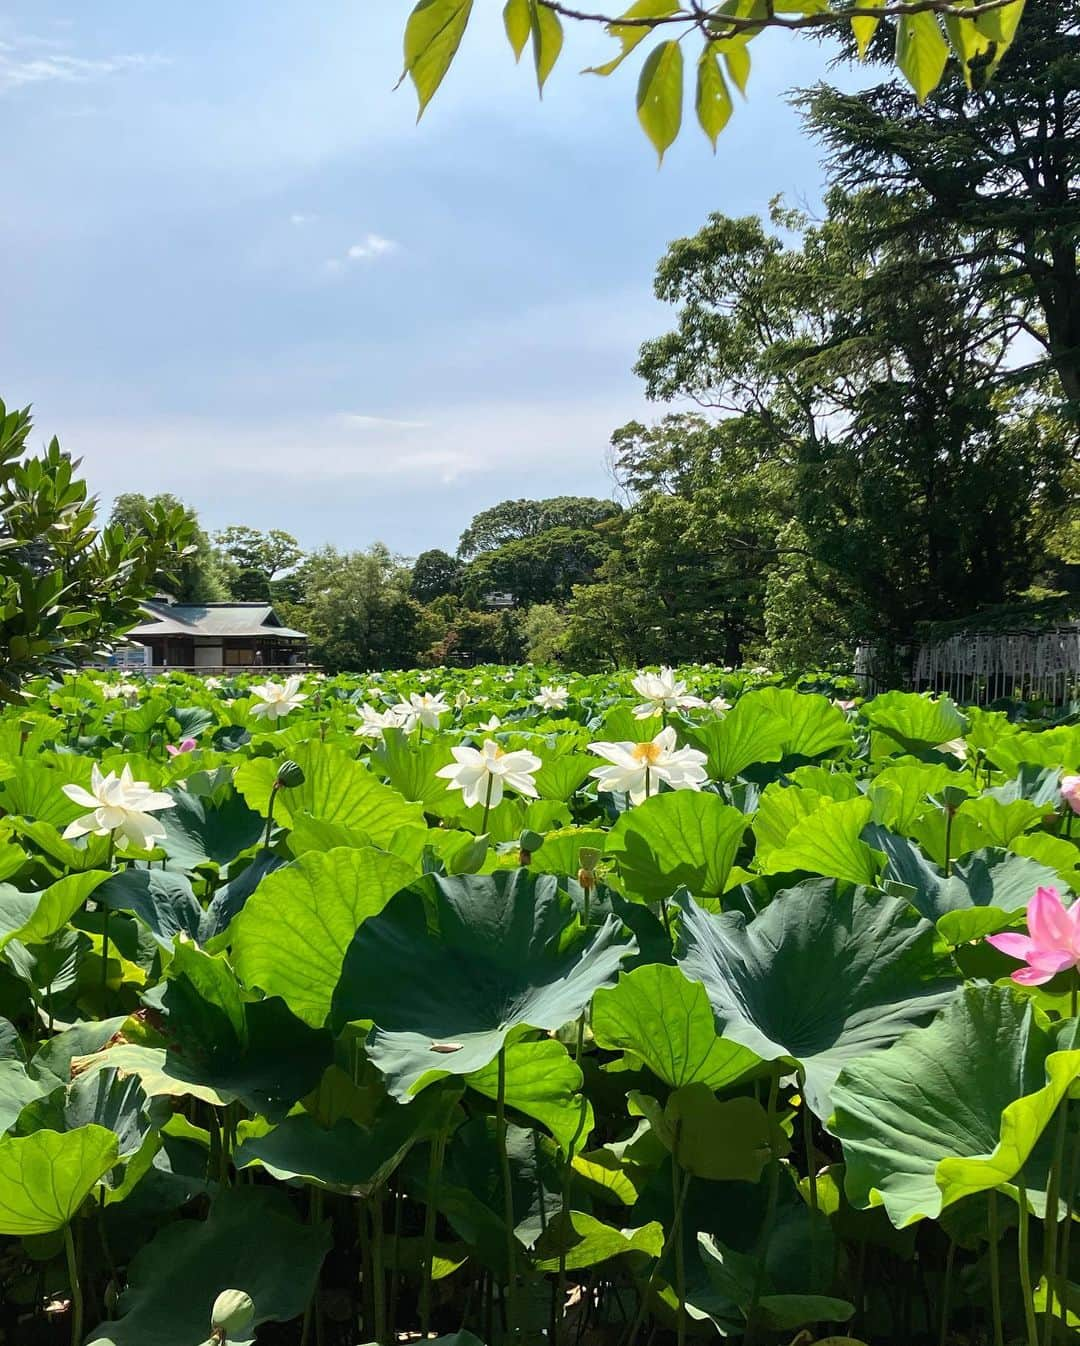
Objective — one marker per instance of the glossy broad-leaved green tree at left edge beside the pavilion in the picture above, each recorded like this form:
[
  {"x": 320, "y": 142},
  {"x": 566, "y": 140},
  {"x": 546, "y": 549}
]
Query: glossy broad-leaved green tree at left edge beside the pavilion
[{"x": 68, "y": 590}]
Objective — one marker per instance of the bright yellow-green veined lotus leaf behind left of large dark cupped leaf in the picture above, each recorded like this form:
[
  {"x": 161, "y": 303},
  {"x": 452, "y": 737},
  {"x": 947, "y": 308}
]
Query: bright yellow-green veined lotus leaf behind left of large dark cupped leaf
[{"x": 290, "y": 939}]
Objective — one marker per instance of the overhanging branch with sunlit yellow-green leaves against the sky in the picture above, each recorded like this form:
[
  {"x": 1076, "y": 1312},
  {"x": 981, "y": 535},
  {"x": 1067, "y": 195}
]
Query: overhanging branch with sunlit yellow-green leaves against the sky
[{"x": 927, "y": 32}]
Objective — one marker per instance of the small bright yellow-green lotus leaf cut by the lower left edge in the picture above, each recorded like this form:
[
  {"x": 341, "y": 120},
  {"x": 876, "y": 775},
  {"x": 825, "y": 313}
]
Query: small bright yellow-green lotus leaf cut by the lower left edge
[{"x": 46, "y": 1177}]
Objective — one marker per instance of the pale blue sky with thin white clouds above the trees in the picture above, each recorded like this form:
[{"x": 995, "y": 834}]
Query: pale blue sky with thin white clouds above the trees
[{"x": 234, "y": 267}]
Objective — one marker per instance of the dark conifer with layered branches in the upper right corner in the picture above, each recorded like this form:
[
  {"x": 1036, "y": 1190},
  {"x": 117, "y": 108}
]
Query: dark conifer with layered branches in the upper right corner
[{"x": 1000, "y": 166}]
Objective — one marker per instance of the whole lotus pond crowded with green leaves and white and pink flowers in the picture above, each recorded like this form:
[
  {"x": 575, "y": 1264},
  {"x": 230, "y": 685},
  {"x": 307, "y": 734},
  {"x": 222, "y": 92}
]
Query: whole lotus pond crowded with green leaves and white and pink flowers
[{"x": 495, "y": 1006}]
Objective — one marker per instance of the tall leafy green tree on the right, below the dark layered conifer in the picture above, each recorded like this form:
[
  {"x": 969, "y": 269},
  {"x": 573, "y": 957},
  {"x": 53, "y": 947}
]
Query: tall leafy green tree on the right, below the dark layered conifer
[{"x": 880, "y": 388}]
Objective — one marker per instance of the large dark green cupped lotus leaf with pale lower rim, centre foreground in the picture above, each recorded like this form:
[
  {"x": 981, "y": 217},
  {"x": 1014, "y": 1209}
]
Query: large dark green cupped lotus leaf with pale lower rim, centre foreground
[{"x": 449, "y": 971}]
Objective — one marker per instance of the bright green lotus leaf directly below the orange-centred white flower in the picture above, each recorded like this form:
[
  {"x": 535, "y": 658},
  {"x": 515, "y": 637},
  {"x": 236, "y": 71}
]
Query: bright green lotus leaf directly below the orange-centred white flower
[{"x": 682, "y": 838}]
